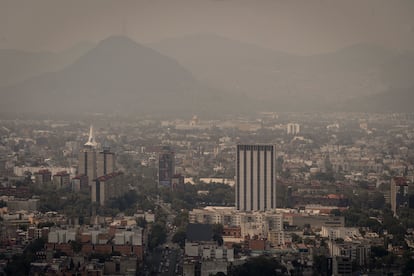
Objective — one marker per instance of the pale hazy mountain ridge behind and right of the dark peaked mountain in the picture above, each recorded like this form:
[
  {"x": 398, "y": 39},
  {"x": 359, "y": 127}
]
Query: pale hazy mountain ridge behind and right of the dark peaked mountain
[{"x": 285, "y": 81}]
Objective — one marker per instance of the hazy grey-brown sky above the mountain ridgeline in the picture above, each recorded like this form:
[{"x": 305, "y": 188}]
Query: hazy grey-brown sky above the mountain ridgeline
[{"x": 305, "y": 27}]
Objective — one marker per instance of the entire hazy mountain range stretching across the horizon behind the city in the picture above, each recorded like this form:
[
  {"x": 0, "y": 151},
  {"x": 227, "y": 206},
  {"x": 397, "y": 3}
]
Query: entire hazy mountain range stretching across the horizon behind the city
[{"x": 204, "y": 73}]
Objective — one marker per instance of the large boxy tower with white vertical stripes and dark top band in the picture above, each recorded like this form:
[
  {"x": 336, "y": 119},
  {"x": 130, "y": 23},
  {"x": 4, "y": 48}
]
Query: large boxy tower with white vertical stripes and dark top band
[{"x": 255, "y": 177}]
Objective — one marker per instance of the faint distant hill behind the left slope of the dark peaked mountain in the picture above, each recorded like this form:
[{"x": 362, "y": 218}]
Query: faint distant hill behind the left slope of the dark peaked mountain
[{"x": 17, "y": 66}]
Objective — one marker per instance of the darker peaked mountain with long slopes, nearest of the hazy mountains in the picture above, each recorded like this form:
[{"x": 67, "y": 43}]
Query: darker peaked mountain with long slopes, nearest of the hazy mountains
[{"x": 118, "y": 75}]
